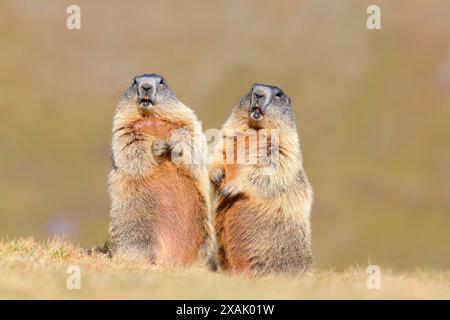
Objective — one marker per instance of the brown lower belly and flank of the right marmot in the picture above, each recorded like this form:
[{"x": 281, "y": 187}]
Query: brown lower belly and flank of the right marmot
[{"x": 253, "y": 238}]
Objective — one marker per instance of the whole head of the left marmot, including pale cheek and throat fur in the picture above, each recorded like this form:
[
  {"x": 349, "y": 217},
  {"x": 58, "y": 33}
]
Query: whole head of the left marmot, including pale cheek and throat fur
[{"x": 149, "y": 93}]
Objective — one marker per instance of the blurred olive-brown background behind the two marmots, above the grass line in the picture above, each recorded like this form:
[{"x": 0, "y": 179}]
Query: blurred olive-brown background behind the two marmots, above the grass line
[{"x": 373, "y": 110}]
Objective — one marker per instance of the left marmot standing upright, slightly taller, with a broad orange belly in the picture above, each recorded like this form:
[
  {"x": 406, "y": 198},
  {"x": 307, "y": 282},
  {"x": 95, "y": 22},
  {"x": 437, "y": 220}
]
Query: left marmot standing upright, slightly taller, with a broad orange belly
[{"x": 160, "y": 208}]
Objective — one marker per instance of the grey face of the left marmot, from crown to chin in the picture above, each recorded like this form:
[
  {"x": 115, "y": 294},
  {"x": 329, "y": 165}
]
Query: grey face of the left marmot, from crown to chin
[{"x": 148, "y": 91}]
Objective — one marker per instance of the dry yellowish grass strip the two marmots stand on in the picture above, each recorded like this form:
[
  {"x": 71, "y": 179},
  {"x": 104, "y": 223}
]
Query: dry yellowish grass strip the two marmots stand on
[{"x": 33, "y": 270}]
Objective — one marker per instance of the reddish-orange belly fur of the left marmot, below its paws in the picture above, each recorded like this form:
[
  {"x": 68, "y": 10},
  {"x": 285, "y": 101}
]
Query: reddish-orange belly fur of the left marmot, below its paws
[{"x": 179, "y": 216}]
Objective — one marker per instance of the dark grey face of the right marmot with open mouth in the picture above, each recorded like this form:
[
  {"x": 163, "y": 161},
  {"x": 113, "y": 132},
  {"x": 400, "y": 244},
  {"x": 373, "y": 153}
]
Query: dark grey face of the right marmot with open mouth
[{"x": 266, "y": 106}]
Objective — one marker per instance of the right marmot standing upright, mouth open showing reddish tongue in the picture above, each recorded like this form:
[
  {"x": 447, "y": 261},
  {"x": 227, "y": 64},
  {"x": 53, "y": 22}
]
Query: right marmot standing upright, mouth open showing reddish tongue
[{"x": 262, "y": 218}]
